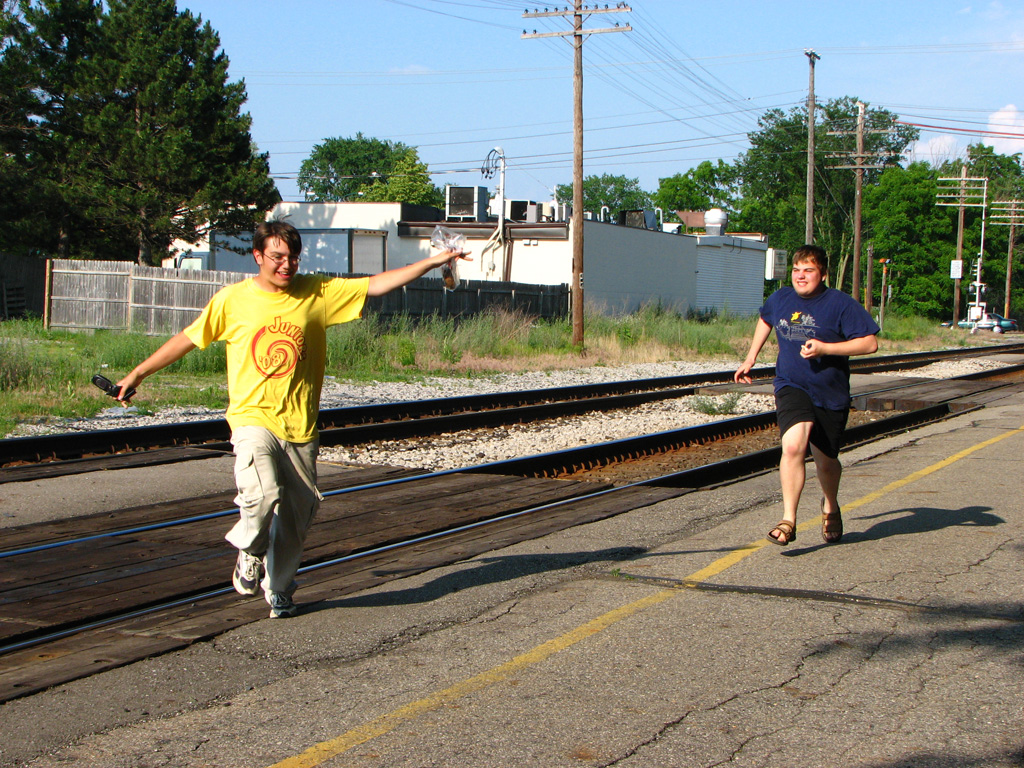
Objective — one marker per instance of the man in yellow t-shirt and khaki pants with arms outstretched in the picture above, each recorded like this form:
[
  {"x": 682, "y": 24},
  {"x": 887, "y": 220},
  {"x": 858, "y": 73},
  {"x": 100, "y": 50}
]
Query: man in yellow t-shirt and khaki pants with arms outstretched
[{"x": 275, "y": 326}]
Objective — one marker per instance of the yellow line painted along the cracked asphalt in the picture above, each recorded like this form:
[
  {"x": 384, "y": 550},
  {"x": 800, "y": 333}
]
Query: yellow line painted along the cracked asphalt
[{"x": 318, "y": 754}]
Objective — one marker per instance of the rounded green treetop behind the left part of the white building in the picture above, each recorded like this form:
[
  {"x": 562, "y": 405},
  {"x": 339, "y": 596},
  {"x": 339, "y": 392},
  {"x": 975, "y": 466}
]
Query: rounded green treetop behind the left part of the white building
[{"x": 366, "y": 168}]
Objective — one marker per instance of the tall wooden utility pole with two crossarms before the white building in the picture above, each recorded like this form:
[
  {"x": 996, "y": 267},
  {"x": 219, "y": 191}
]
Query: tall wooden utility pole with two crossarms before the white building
[{"x": 578, "y": 13}]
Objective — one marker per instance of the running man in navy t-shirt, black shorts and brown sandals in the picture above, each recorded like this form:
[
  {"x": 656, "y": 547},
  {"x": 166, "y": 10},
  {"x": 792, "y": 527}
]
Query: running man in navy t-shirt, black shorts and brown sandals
[{"x": 818, "y": 329}]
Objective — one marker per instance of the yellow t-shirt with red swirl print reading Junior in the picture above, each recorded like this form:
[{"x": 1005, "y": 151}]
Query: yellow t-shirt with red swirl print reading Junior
[{"x": 277, "y": 348}]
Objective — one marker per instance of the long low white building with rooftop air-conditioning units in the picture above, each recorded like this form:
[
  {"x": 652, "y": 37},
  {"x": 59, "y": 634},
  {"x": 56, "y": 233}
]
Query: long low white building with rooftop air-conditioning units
[{"x": 625, "y": 268}]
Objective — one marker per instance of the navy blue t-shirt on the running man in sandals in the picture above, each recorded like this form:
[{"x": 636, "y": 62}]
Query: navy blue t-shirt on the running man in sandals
[{"x": 830, "y": 317}]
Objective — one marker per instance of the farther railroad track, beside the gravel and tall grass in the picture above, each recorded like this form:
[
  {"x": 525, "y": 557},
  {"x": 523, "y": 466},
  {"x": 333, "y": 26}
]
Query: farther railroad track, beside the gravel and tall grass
[{"x": 79, "y": 452}]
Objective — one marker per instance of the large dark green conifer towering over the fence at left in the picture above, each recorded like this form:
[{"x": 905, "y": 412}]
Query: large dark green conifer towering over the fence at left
[{"x": 138, "y": 136}]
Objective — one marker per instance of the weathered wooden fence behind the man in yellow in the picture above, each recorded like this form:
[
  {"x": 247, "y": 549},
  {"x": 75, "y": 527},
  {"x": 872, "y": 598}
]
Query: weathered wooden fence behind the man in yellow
[{"x": 119, "y": 295}]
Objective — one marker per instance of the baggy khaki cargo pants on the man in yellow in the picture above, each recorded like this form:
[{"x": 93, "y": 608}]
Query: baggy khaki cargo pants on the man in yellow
[{"x": 278, "y": 498}]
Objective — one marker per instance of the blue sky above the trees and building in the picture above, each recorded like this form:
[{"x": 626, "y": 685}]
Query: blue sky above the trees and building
[{"x": 687, "y": 83}]
